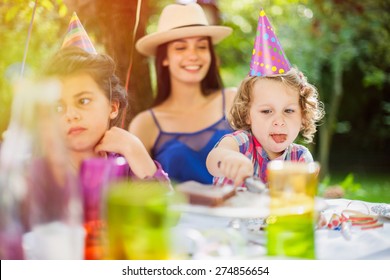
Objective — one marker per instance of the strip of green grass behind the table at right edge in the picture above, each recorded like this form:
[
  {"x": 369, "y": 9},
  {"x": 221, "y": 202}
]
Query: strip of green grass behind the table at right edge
[{"x": 370, "y": 187}]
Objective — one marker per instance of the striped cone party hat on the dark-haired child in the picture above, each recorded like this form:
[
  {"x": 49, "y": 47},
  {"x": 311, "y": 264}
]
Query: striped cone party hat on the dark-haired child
[{"x": 77, "y": 36}]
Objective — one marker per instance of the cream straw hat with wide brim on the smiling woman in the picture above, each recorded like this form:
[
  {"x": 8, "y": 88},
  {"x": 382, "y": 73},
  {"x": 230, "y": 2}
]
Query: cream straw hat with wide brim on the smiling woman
[{"x": 180, "y": 21}]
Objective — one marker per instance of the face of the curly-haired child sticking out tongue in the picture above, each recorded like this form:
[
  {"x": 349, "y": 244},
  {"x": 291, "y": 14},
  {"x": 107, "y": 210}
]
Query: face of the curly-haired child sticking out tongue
[{"x": 275, "y": 115}]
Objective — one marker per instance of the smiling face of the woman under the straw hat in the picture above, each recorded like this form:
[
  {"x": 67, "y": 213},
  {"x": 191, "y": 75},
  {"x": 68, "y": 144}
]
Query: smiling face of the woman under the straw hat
[{"x": 188, "y": 59}]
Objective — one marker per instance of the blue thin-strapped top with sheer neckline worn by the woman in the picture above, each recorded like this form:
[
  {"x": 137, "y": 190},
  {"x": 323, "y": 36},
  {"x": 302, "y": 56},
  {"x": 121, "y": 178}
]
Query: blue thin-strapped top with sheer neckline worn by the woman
[{"x": 183, "y": 155}]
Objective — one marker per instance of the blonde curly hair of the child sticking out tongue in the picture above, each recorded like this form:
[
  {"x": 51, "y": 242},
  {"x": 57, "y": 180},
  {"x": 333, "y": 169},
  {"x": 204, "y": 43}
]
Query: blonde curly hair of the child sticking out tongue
[{"x": 312, "y": 108}]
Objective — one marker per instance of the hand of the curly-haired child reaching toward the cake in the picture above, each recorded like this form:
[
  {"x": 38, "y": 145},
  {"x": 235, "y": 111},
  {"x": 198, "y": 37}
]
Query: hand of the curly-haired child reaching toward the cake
[{"x": 236, "y": 167}]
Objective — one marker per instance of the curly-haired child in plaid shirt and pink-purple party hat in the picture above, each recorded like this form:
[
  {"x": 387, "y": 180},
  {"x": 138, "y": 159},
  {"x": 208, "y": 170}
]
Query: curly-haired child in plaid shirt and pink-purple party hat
[{"x": 274, "y": 104}]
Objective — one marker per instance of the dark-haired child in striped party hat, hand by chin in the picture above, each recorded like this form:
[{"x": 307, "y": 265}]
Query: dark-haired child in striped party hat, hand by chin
[{"x": 91, "y": 104}]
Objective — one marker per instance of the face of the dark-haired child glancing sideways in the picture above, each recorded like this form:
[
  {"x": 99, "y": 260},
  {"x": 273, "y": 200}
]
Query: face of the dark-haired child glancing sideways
[{"x": 85, "y": 112}]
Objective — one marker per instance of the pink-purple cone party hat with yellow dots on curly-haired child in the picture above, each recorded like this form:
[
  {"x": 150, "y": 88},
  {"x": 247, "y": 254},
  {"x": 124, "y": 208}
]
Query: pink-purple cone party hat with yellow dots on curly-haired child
[{"x": 268, "y": 57}]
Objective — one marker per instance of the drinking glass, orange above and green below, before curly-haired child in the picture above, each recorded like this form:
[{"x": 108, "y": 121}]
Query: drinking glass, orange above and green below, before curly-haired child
[{"x": 292, "y": 188}]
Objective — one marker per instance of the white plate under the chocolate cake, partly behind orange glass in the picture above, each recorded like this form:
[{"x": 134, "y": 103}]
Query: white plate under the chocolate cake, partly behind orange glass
[{"x": 242, "y": 205}]
